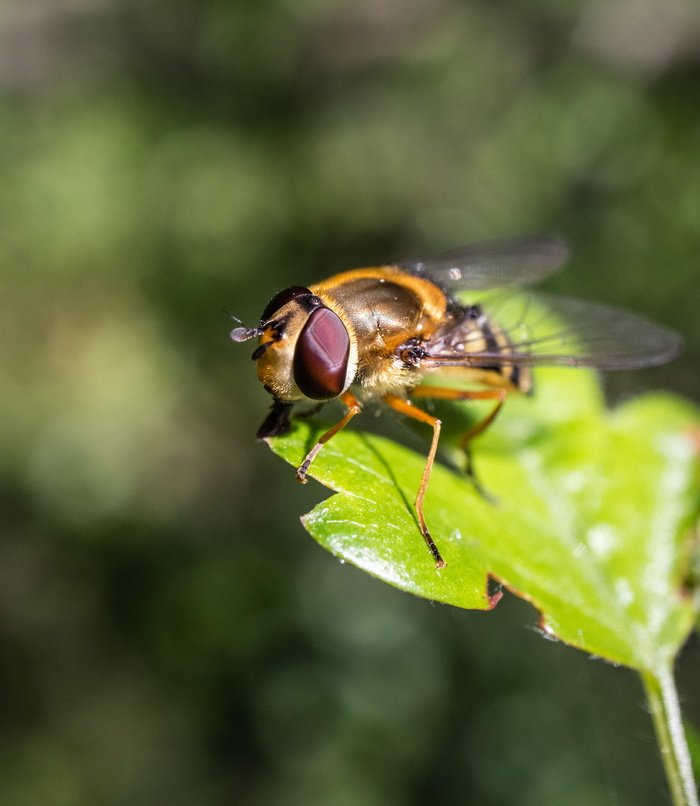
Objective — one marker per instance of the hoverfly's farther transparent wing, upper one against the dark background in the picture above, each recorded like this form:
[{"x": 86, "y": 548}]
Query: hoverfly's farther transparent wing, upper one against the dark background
[{"x": 493, "y": 264}]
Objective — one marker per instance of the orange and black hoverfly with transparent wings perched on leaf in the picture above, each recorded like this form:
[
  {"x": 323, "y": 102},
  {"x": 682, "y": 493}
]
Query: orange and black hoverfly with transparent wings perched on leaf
[{"x": 378, "y": 332}]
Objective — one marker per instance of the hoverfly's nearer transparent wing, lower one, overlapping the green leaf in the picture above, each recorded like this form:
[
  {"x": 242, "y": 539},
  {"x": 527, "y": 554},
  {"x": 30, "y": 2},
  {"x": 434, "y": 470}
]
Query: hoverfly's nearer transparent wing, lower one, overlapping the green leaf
[{"x": 543, "y": 329}]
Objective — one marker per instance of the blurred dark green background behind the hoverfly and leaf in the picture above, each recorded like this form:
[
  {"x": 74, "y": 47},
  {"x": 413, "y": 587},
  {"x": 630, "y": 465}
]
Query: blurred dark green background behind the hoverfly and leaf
[{"x": 169, "y": 634}]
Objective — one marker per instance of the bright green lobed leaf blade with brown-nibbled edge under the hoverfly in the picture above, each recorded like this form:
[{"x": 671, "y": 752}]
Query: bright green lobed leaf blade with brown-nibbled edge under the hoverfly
[{"x": 592, "y": 525}]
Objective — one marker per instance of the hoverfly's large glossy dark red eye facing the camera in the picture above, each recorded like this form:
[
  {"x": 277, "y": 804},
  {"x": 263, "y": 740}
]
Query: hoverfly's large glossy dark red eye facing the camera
[{"x": 321, "y": 356}]
